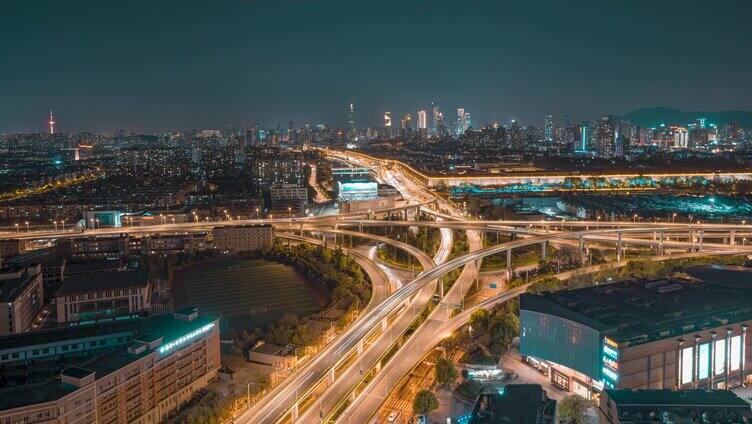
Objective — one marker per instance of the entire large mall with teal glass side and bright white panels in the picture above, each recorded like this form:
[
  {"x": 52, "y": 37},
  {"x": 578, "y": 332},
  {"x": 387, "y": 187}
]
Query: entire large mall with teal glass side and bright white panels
[{"x": 642, "y": 334}]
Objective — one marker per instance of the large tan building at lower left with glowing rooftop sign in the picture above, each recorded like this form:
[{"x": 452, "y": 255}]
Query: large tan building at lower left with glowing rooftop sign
[{"x": 128, "y": 371}]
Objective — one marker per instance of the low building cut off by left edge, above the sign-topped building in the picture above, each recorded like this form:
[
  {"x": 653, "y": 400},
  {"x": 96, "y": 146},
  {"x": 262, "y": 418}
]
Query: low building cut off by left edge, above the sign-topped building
[{"x": 21, "y": 297}]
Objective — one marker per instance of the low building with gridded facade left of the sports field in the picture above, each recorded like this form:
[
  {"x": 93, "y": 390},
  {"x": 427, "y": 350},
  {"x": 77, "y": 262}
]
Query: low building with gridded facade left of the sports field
[{"x": 103, "y": 295}]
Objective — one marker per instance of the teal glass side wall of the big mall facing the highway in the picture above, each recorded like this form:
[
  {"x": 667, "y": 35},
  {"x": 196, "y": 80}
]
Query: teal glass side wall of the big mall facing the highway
[{"x": 543, "y": 336}]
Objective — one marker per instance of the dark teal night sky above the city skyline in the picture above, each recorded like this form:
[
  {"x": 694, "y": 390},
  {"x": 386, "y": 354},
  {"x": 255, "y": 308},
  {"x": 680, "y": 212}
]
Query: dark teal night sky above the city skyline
[{"x": 154, "y": 65}]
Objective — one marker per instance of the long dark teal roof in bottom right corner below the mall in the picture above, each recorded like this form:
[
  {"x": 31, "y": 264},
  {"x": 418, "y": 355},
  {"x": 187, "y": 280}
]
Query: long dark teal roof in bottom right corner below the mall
[{"x": 650, "y": 406}]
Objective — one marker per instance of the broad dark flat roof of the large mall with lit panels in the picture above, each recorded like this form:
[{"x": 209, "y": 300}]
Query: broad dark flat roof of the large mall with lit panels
[{"x": 637, "y": 311}]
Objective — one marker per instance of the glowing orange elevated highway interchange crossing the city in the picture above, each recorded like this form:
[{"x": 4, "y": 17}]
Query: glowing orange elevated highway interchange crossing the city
[{"x": 349, "y": 378}]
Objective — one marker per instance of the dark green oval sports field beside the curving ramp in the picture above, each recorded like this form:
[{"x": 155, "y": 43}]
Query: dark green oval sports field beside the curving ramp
[{"x": 246, "y": 292}]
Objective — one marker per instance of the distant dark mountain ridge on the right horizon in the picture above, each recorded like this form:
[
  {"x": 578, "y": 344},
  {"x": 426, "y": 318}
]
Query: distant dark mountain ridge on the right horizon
[{"x": 655, "y": 116}]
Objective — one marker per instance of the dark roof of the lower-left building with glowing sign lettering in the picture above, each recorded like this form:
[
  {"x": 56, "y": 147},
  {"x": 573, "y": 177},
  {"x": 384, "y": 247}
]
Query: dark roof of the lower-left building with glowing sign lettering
[{"x": 48, "y": 387}]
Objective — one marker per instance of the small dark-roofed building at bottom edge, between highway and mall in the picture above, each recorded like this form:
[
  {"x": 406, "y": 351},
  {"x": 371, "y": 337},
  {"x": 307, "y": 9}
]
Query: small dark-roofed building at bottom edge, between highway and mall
[{"x": 515, "y": 403}]
